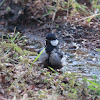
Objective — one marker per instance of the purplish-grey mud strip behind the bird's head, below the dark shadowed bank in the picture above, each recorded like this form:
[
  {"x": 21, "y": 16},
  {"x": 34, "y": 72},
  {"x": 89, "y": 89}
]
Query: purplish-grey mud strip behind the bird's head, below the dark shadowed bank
[{"x": 69, "y": 33}]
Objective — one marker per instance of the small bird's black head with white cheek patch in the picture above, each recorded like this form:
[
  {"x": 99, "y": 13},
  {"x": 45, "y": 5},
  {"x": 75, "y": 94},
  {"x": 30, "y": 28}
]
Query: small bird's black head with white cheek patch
[{"x": 51, "y": 39}]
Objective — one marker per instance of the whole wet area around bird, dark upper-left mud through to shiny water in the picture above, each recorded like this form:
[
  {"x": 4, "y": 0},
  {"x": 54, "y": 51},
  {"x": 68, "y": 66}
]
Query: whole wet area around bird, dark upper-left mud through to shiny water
[{"x": 79, "y": 42}]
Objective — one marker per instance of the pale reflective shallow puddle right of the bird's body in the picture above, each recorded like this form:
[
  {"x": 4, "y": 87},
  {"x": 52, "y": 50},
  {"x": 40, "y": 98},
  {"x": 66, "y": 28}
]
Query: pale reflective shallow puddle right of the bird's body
[{"x": 83, "y": 62}]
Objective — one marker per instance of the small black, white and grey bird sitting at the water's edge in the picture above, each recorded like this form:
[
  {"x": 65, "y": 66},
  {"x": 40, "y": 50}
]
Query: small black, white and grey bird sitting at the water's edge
[{"x": 52, "y": 55}]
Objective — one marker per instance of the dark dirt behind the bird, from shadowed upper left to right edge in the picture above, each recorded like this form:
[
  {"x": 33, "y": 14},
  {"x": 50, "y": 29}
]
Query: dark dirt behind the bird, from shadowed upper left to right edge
[{"x": 22, "y": 17}]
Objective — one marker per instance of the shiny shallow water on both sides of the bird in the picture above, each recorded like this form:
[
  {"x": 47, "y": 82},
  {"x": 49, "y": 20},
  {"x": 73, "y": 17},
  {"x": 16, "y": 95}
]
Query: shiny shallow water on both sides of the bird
[{"x": 76, "y": 58}]
